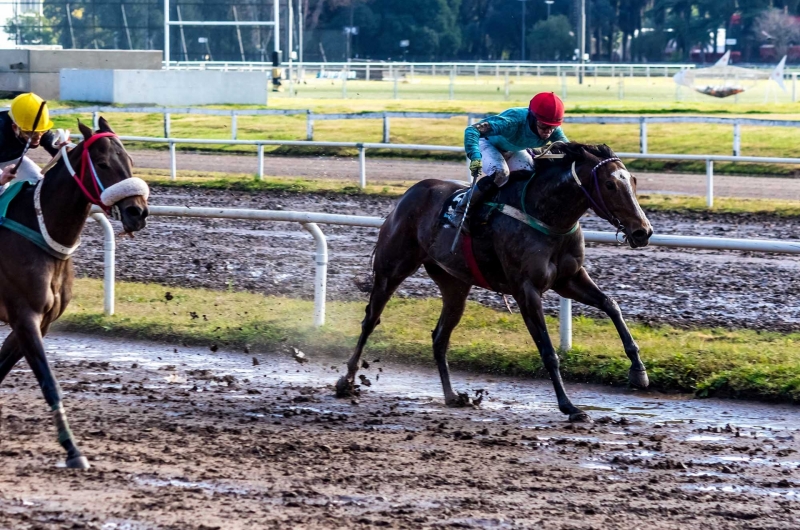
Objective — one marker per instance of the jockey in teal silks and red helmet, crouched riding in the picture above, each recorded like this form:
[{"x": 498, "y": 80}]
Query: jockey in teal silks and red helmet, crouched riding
[{"x": 497, "y": 145}]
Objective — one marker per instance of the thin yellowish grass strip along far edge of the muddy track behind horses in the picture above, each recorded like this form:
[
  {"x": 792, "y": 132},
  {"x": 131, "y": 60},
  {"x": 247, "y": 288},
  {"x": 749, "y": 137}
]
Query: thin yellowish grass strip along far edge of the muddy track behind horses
[{"x": 249, "y": 183}]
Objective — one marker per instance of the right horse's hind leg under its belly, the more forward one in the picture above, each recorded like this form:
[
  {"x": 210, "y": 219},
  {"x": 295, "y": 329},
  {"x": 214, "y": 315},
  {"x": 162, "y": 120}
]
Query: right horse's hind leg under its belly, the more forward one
[{"x": 454, "y": 299}]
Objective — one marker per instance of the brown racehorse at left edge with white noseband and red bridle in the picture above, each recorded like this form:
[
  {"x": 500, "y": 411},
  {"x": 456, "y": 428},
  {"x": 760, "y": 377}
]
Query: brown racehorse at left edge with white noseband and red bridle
[{"x": 36, "y": 274}]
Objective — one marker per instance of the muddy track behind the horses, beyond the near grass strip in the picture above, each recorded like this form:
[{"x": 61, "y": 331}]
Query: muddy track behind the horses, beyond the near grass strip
[{"x": 683, "y": 287}]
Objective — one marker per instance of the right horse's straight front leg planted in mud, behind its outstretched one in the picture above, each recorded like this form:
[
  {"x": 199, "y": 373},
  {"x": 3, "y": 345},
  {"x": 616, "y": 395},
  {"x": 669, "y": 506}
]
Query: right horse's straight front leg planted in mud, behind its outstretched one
[{"x": 530, "y": 303}]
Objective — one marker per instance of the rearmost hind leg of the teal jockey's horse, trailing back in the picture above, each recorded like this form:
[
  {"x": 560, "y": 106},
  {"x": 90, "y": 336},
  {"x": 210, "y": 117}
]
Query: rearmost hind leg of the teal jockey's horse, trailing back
[{"x": 387, "y": 279}]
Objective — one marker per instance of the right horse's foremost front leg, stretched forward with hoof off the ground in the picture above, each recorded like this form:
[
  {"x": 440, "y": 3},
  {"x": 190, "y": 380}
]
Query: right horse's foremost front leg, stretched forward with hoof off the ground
[{"x": 582, "y": 289}]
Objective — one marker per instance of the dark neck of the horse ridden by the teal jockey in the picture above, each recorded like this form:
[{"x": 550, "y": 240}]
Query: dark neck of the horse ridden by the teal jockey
[{"x": 552, "y": 197}]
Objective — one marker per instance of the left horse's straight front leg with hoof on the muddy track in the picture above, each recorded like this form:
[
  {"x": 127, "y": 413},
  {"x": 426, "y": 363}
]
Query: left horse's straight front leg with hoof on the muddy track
[{"x": 29, "y": 336}]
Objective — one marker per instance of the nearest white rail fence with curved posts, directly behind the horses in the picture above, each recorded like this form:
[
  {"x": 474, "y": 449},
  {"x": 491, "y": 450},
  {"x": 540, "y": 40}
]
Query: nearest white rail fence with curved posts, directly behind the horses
[{"x": 311, "y": 220}]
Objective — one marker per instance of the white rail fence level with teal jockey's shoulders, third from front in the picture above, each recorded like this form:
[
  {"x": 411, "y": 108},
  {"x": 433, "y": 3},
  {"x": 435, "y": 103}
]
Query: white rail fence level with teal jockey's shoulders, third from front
[{"x": 386, "y": 117}]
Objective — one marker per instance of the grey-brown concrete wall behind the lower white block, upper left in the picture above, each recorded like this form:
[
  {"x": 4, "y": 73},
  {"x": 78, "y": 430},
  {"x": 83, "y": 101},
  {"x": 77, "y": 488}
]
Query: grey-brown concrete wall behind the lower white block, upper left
[{"x": 38, "y": 70}]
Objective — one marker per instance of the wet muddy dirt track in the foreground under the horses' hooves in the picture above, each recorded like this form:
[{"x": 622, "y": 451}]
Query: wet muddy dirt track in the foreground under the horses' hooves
[{"x": 180, "y": 438}]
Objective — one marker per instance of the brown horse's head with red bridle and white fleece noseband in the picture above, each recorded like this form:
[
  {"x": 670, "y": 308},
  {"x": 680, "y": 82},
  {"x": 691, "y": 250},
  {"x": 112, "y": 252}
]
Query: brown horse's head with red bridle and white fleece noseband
[{"x": 106, "y": 177}]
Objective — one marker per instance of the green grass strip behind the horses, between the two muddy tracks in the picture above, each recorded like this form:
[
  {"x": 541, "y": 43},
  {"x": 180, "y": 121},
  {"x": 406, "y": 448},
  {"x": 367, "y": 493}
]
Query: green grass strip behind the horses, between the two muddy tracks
[{"x": 746, "y": 364}]
